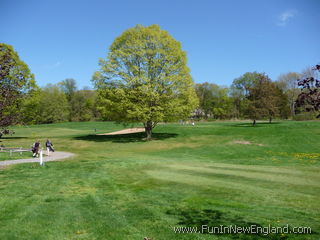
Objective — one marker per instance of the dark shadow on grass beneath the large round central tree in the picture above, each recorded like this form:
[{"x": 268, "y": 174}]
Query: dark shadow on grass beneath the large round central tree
[{"x": 125, "y": 138}]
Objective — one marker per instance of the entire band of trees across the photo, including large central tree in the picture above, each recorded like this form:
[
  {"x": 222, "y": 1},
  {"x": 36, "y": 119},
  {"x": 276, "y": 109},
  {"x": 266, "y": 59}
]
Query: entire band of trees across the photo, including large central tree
[{"x": 145, "y": 79}]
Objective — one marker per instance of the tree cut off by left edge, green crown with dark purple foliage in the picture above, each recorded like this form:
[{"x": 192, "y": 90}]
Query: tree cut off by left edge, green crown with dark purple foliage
[{"x": 16, "y": 81}]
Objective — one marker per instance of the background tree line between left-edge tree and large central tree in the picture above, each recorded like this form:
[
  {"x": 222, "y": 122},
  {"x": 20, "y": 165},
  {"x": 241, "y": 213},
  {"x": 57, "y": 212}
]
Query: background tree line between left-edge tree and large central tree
[{"x": 60, "y": 102}]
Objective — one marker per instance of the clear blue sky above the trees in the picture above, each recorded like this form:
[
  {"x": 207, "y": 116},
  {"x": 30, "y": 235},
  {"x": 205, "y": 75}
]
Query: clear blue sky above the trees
[{"x": 223, "y": 39}]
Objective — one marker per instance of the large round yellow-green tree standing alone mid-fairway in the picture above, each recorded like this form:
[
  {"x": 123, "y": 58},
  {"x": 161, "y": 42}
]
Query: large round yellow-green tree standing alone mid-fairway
[{"x": 145, "y": 79}]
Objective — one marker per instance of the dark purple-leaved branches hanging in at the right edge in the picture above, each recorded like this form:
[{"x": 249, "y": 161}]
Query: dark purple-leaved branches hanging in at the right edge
[{"x": 309, "y": 97}]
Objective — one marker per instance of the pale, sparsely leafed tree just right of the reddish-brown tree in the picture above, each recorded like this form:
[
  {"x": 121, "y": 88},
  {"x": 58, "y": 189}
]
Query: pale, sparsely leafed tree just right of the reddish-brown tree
[{"x": 289, "y": 84}]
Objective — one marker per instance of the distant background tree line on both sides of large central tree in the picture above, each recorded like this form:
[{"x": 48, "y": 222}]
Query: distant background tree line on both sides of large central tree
[{"x": 251, "y": 96}]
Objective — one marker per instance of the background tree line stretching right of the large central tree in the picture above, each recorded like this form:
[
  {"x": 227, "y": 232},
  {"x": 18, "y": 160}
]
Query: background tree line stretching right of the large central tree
[{"x": 255, "y": 96}]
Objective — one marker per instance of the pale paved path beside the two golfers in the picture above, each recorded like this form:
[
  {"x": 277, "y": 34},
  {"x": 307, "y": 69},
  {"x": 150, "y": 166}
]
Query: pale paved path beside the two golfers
[{"x": 55, "y": 156}]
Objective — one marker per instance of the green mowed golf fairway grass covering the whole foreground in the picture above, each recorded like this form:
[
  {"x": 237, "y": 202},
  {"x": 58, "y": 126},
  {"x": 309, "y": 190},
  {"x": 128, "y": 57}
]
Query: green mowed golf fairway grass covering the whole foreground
[{"x": 121, "y": 187}]
